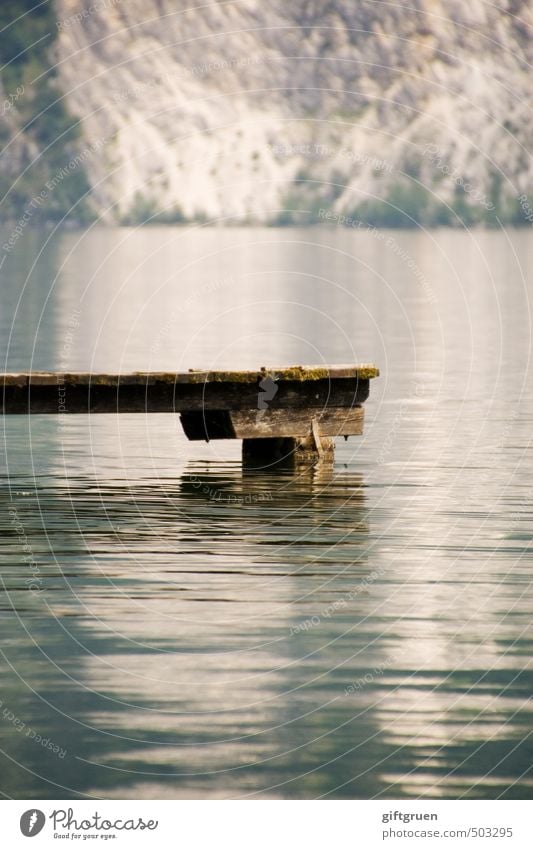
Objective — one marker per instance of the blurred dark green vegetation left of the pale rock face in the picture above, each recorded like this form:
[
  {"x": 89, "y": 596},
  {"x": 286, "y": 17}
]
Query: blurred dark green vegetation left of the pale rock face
[{"x": 38, "y": 137}]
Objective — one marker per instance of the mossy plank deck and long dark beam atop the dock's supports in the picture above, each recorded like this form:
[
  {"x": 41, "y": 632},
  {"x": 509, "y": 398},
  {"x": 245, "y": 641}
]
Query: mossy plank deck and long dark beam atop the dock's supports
[{"x": 162, "y": 392}]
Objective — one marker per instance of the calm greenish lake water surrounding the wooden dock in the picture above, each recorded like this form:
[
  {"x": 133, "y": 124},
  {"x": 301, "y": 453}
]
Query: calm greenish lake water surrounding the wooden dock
[{"x": 363, "y": 631}]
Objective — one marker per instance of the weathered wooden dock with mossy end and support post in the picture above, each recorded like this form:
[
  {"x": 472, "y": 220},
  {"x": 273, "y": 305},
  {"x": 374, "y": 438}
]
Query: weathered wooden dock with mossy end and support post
[{"x": 282, "y": 412}]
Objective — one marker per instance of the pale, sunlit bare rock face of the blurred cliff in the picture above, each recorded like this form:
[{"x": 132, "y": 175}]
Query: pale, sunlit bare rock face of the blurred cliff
[{"x": 234, "y": 110}]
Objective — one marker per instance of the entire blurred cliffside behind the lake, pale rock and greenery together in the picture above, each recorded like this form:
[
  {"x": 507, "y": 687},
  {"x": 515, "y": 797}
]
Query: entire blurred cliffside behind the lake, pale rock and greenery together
[{"x": 395, "y": 115}]
